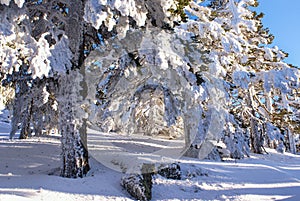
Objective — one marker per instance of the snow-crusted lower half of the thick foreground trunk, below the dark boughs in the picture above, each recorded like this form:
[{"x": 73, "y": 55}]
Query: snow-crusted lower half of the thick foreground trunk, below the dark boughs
[{"x": 73, "y": 128}]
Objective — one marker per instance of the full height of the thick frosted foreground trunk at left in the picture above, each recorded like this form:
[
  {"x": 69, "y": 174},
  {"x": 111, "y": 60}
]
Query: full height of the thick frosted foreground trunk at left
[{"x": 72, "y": 123}]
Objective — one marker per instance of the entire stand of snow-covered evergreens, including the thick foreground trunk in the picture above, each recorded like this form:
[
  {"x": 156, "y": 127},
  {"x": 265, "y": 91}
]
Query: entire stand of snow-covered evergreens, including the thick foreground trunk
[{"x": 203, "y": 71}]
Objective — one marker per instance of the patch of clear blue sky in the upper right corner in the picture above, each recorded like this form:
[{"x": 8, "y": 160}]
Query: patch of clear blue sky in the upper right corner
[{"x": 282, "y": 17}]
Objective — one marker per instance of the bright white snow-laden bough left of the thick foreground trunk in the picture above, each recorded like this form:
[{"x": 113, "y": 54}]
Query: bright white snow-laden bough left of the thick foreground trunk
[{"x": 18, "y": 47}]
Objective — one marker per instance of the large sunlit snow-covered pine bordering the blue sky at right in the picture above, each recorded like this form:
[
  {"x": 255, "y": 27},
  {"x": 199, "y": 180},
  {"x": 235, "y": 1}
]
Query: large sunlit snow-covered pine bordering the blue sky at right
[{"x": 239, "y": 48}]
